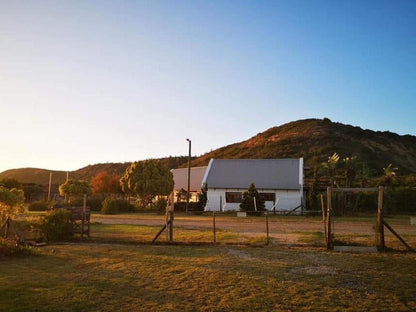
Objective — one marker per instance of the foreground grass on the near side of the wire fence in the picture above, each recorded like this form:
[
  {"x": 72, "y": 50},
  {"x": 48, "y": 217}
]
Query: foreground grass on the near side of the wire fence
[{"x": 109, "y": 277}]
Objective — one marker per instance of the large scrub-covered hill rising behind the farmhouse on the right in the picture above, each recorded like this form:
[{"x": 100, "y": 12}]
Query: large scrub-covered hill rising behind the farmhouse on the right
[{"x": 316, "y": 139}]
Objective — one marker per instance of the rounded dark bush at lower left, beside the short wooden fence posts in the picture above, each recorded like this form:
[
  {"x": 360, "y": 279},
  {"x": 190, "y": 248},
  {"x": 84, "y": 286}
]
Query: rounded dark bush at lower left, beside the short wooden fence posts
[{"x": 56, "y": 226}]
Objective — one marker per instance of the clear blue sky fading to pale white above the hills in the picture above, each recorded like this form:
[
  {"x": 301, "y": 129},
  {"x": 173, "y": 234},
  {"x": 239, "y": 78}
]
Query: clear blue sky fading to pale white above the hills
[{"x": 86, "y": 82}]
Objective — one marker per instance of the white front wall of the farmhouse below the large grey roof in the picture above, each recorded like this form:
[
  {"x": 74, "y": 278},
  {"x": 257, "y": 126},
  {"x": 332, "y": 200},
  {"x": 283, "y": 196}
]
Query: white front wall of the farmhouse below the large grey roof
[{"x": 288, "y": 199}]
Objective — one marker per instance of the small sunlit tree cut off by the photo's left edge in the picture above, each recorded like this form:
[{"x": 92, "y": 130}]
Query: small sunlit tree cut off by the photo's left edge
[{"x": 11, "y": 202}]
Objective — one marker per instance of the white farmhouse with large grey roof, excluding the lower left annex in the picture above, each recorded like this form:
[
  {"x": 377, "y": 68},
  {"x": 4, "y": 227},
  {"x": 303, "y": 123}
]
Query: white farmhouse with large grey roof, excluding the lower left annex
[{"x": 280, "y": 181}]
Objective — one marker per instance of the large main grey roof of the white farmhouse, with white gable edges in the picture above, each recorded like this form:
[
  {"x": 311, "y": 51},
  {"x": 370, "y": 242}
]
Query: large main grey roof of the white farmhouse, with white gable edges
[{"x": 264, "y": 173}]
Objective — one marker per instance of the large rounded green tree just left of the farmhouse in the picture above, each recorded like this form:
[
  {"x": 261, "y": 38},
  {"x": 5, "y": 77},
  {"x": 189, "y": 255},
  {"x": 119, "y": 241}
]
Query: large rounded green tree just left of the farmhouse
[{"x": 147, "y": 179}]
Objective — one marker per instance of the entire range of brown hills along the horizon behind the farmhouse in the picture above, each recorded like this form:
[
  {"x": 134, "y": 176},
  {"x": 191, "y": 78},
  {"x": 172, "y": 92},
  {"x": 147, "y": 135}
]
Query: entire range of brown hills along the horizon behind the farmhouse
[{"x": 313, "y": 139}]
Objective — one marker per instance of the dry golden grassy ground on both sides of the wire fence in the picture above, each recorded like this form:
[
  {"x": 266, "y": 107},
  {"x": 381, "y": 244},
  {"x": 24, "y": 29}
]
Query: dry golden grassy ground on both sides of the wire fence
[{"x": 117, "y": 269}]
